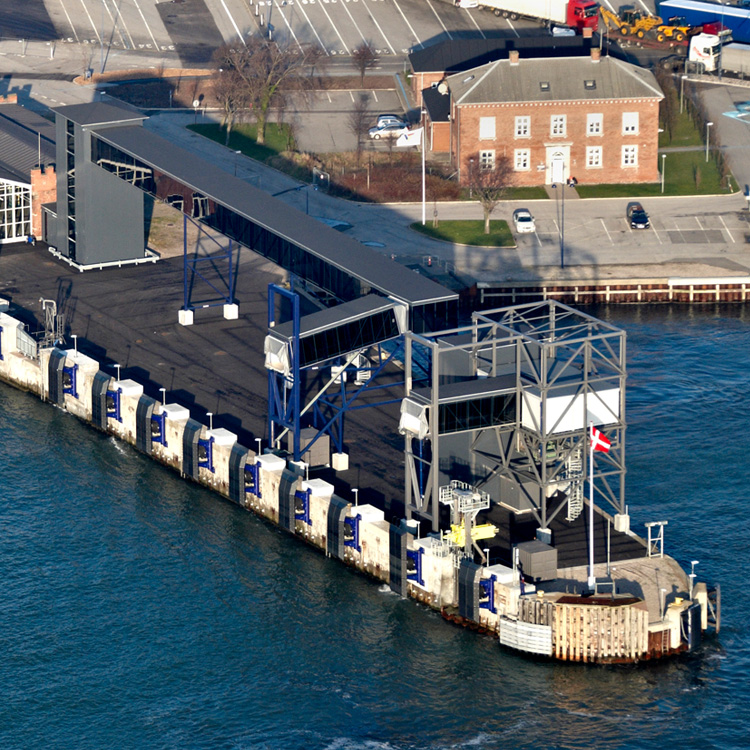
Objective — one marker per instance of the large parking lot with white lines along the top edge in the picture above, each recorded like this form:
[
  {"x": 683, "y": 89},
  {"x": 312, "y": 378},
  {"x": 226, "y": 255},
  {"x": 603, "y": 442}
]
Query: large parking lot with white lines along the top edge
[{"x": 189, "y": 27}]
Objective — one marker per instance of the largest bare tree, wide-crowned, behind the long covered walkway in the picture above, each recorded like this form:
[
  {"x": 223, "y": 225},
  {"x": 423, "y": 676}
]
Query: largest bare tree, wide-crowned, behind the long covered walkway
[{"x": 264, "y": 67}]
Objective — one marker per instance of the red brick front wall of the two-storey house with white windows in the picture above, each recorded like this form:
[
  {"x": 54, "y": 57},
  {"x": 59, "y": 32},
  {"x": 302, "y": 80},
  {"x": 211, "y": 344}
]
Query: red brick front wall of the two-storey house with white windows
[{"x": 465, "y": 137}]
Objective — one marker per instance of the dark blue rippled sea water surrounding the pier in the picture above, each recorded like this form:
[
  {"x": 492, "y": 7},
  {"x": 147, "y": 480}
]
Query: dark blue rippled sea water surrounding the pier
[{"x": 139, "y": 611}]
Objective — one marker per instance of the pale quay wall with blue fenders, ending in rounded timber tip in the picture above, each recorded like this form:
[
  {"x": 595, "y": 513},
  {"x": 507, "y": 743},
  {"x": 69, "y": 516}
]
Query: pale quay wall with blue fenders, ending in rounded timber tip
[{"x": 428, "y": 569}]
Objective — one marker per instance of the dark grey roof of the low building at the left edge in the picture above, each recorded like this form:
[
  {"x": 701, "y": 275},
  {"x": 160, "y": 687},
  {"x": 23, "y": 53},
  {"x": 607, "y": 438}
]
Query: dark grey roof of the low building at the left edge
[{"x": 23, "y": 136}]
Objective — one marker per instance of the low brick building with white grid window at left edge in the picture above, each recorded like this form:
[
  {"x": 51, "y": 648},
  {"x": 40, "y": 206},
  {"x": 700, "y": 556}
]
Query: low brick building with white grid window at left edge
[{"x": 27, "y": 170}]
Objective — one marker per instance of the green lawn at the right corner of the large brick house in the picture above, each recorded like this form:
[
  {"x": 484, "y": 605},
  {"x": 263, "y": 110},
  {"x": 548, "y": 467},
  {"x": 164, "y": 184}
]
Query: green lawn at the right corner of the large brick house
[{"x": 685, "y": 173}]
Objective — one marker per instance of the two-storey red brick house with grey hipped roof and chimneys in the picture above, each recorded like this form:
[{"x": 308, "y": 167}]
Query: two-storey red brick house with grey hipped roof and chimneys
[{"x": 593, "y": 118}]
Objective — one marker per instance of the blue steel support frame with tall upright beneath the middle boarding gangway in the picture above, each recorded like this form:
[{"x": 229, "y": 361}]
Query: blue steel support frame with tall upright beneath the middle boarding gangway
[{"x": 329, "y": 410}]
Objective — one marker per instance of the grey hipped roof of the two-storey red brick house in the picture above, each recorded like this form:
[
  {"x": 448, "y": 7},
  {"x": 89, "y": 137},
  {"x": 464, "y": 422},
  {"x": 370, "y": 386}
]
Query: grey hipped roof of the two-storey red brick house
[{"x": 502, "y": 82}]
